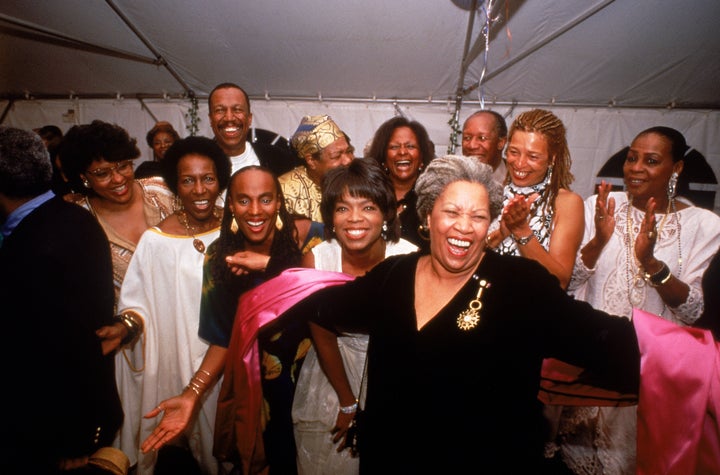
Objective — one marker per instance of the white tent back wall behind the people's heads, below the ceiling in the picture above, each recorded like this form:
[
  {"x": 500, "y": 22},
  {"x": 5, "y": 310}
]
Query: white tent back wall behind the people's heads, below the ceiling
[{"x": 594, "y": 134}]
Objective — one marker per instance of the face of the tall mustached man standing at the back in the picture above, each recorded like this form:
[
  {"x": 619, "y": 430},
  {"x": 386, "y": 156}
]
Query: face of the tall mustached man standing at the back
[{"x": 230, "y": 119}]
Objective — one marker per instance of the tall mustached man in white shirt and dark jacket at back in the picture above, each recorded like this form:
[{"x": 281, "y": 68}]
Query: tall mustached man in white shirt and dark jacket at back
[{"x": 231, "y": 120}]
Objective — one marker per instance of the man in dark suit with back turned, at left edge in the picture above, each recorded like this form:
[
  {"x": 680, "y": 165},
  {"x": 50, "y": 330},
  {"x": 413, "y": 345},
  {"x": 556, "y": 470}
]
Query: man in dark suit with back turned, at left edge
[{"x": 56, "y": 290}]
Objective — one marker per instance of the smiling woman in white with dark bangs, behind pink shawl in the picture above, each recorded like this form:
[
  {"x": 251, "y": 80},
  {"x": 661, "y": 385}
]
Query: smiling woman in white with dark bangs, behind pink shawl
[{"x": 359, "y": 211}]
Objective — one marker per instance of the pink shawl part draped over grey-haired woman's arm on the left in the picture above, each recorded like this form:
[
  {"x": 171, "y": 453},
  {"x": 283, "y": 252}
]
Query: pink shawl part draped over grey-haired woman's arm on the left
[{"x": 237, "y": 422}]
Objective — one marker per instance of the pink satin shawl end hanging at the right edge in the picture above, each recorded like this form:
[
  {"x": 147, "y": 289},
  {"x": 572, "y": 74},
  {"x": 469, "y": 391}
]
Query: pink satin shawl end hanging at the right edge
[{"x": 679, "y": 398}]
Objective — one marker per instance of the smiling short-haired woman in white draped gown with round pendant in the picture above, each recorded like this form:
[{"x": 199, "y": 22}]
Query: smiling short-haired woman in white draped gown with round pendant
[{"x": 163, "y": 286}]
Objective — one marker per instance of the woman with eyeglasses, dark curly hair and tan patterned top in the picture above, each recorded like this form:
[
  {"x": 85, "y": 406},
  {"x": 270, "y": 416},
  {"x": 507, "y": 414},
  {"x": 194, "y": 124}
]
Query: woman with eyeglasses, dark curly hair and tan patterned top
[{"x": 97, "y": 159}]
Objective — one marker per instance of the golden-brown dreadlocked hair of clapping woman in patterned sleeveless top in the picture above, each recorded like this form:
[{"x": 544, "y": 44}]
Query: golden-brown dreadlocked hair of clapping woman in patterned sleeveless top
[{"x": 551, "y": 127}]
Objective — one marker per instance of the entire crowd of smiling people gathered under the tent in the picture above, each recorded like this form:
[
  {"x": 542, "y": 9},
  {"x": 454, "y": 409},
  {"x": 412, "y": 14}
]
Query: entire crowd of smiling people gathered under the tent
[{"x": 231, "y": 307}]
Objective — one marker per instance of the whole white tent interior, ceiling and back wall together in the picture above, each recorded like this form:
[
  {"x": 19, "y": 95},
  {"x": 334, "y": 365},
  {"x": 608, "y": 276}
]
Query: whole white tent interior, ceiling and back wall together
[{"x": 607, "y": 68}]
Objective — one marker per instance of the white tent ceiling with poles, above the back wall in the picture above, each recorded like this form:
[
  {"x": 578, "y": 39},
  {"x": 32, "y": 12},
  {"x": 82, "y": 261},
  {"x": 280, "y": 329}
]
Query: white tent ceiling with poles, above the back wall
[{"x": 651, "y": 53}]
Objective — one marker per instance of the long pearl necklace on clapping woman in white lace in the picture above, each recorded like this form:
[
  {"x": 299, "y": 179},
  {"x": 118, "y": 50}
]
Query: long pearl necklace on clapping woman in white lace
[{"x": 635, "y": 280}]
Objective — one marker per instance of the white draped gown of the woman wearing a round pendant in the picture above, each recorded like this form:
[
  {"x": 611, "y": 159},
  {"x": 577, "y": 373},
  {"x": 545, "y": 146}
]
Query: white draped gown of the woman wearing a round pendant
[{"x": 163, "y": 284}]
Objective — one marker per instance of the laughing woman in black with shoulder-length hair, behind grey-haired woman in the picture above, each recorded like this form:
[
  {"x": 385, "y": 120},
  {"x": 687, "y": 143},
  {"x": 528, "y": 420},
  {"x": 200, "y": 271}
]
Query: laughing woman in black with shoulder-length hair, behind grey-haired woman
[{"x": 403, "y": 148}]
